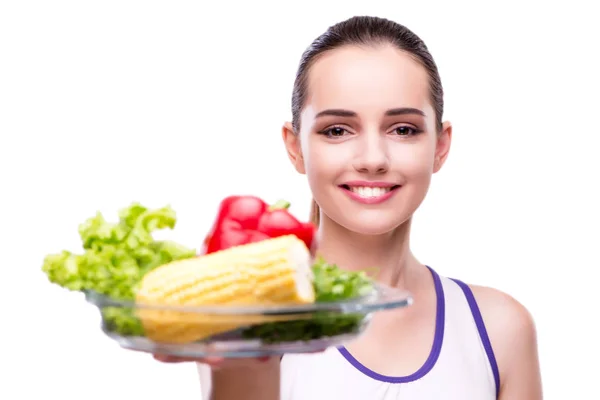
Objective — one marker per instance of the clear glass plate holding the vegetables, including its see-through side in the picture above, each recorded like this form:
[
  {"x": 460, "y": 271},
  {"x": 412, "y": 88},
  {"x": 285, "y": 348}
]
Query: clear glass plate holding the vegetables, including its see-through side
[{"x": 242, "y": 331}]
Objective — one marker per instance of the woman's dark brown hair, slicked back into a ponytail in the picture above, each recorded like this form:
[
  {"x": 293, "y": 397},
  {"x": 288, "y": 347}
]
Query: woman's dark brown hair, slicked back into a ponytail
[{"x": 364, "y": 31}]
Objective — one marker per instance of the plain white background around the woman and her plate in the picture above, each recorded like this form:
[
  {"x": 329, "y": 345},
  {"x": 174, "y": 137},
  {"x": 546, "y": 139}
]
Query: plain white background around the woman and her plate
[{"x": 107, "y": 102}]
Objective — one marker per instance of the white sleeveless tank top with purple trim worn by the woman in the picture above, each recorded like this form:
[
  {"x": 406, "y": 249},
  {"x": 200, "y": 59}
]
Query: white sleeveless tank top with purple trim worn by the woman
[{"x": 461, "y": 364}]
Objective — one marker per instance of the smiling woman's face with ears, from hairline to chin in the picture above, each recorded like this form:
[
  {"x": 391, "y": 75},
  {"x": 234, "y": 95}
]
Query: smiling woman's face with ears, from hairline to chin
[{"x": 367, "y": 139}]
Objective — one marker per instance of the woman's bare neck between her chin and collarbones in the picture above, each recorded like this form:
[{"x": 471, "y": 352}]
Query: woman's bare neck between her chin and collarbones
[{"x": 386, "y": 257}]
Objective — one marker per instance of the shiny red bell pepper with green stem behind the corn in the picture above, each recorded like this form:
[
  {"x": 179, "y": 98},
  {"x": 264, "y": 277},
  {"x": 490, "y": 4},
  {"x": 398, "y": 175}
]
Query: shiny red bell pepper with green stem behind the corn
[{"x": 246, "y": 219}]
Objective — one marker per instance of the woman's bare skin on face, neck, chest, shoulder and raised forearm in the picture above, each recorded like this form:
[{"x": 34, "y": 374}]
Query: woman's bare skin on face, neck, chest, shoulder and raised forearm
[{"x": 405, "y": 149}]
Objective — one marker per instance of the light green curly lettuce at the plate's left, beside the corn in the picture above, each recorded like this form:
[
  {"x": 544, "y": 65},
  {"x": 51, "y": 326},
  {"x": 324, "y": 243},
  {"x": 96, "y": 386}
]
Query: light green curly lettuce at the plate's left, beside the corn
[{"x": 114, "y": 258}]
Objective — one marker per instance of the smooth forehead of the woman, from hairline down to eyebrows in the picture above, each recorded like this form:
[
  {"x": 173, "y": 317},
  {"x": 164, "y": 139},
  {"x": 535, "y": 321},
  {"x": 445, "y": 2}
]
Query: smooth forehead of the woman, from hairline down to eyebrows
[{"x": 368, "y": 80}]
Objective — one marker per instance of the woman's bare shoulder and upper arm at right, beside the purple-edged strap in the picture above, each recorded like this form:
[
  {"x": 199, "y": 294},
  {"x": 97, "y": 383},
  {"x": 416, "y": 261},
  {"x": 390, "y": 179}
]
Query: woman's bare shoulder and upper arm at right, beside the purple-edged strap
[{"x": 512, "y": 333}]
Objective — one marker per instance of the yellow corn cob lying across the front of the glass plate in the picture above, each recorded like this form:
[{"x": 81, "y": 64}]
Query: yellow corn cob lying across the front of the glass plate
[{"x": 270, "y": 272}]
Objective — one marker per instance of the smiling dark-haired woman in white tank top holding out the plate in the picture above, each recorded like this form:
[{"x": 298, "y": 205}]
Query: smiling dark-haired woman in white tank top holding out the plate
[{"x": 368, "y": 133}]
